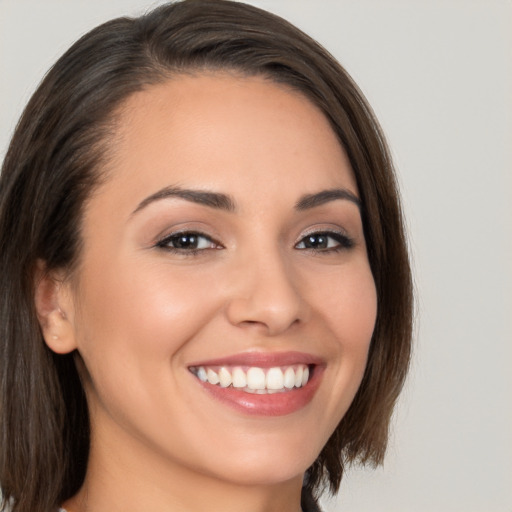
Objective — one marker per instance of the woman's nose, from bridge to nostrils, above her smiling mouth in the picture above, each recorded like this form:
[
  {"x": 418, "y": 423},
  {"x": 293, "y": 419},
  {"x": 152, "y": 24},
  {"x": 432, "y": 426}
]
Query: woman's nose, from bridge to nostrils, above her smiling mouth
[{"x": 266, "y": 296}]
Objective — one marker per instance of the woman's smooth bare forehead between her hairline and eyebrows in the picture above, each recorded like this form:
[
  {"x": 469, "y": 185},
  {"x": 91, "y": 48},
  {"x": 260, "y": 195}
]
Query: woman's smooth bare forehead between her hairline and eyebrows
[{"x": 220, "y": 130}]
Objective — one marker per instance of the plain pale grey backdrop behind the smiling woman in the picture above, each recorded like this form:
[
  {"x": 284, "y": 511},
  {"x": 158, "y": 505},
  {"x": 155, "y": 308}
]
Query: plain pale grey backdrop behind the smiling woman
[{"x": 439, "y": 76}]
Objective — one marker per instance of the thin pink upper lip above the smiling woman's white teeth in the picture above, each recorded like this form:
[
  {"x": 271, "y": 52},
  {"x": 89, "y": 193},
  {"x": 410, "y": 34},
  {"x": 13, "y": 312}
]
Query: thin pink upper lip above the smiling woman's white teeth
[{"x": 263, "y": 359}]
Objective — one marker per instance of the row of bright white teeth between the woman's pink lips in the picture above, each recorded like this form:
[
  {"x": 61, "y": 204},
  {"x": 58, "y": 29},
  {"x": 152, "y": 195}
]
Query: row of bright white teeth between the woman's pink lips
[{"x": 255, "y": 379}]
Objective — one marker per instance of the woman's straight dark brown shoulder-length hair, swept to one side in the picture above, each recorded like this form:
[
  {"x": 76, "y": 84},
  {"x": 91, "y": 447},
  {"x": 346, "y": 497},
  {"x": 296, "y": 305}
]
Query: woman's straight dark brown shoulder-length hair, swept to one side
[{"x": 55, "y": 159}]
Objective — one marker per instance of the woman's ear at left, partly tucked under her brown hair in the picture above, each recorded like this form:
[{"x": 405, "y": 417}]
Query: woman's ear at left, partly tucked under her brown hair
[{"x": 54, "y": 308}]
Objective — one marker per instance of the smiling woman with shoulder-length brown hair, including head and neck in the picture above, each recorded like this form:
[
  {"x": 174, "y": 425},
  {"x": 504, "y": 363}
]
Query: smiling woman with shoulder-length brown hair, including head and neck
[{"x": 206, "y": 291}]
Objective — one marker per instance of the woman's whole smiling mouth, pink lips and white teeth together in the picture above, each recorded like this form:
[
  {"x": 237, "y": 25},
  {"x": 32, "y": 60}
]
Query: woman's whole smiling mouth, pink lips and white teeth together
[{"x": 261, "y": 384}]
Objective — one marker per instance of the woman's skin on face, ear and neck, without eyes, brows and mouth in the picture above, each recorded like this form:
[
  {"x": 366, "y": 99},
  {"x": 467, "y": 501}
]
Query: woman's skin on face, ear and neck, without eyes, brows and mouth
[{"x": 140, "y": 315}]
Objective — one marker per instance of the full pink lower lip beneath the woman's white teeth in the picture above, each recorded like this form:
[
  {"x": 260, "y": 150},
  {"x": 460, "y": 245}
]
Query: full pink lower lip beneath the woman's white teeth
[{"x": 275, "y": 404}]
